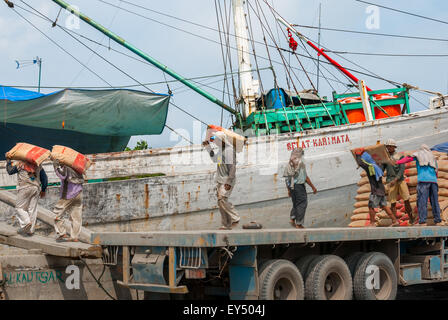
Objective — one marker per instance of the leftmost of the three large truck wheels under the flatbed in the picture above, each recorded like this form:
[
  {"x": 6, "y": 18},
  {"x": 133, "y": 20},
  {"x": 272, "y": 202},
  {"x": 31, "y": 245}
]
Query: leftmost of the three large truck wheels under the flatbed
[{"x": 280, "y": 280}]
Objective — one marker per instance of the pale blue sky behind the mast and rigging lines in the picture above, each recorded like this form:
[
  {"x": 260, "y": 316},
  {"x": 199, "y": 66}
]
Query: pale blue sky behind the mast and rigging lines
[{"x": 192, "y": 56}]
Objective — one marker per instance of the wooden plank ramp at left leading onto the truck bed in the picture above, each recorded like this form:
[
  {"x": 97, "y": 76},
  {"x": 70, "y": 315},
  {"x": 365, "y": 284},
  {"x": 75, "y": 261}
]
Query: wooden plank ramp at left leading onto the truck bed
[{"x": 9, "y": 236}]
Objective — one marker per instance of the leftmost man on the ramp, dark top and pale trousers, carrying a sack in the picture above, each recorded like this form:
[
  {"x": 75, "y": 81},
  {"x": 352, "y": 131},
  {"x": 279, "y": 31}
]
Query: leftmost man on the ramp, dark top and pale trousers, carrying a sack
[{"x": 31, "y": 184}]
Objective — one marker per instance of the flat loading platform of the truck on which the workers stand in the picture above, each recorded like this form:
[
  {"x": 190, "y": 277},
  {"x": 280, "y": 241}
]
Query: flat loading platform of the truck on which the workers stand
[{"x": 245, "y": 237}]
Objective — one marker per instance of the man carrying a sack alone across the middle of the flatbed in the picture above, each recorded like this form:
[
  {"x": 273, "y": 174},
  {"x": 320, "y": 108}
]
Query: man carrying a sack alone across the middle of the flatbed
[{"x": 225, "y": 178}]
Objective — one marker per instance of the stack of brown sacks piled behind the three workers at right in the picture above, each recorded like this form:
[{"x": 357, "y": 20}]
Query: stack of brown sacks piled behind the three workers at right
[{"x": 360, "y": 217}]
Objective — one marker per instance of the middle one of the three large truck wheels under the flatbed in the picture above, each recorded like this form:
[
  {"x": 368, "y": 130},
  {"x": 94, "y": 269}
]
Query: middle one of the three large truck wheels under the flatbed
[{"x": 329, "y": 279}]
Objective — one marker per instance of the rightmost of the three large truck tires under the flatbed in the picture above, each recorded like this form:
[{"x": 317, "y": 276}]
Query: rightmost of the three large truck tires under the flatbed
[{"x": 387, "y": 278}]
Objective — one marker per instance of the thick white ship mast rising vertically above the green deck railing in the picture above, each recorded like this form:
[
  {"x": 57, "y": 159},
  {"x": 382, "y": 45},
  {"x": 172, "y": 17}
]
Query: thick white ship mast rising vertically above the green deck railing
[{"x": 248, "y": 86}]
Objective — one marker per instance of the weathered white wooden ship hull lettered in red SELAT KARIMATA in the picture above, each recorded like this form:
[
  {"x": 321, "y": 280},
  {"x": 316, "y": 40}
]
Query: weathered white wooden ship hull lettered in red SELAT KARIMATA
[{"x": 185, "y": 197}]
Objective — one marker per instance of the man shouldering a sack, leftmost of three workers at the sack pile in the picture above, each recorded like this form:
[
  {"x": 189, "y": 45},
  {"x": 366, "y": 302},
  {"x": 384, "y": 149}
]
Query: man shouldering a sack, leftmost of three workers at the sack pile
[{"x": 377, "y": 197}]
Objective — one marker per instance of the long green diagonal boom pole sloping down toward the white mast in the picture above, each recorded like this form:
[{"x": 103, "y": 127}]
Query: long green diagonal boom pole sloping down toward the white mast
[{"x": 145, "y": 56}]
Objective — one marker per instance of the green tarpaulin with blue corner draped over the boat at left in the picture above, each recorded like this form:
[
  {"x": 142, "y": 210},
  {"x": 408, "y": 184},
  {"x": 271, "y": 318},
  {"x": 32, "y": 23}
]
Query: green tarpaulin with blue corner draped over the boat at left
[{"x": 113, "y": 112}]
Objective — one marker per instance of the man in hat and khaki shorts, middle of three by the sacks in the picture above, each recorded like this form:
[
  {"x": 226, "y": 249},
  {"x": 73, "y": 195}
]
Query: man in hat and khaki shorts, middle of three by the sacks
[{"x": 395, "y": 181}]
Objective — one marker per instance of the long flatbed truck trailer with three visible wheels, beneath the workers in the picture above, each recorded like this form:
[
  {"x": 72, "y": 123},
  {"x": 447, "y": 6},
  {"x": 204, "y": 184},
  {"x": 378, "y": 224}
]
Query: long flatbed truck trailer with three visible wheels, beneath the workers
[{"x": 279, "y": 264}]
